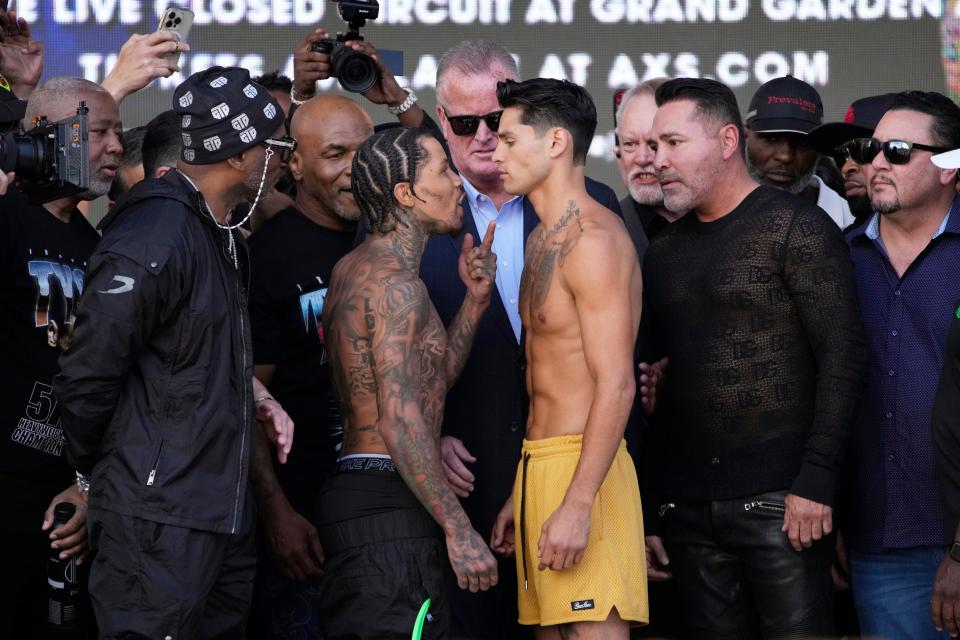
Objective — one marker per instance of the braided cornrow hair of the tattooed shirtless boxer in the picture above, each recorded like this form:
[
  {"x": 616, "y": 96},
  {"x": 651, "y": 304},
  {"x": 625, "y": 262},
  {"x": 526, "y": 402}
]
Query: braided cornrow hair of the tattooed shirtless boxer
[{"x": 383, "y": 161}]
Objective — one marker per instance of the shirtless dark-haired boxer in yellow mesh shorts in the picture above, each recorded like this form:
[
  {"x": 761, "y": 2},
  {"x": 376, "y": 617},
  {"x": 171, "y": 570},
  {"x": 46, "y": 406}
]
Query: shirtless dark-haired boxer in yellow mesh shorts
[{"x": 574, "y": 519}]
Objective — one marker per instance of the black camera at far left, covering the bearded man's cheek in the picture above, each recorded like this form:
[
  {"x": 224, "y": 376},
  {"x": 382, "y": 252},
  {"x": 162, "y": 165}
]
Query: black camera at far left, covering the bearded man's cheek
[{"x": 51, "y": 159}]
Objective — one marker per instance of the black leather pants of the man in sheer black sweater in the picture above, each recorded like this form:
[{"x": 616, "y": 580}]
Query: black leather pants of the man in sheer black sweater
[{"x": 739, "y": 578}]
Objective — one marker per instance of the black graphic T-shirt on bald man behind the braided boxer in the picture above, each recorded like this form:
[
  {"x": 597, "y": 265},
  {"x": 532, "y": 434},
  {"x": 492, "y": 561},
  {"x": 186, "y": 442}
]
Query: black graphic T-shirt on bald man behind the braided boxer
[{"x": 292, "y": 258}]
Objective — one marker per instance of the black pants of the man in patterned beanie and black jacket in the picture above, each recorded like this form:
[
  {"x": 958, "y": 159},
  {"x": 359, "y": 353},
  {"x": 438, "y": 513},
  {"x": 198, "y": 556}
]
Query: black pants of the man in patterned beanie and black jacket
[{"x": 152, "y": 580}]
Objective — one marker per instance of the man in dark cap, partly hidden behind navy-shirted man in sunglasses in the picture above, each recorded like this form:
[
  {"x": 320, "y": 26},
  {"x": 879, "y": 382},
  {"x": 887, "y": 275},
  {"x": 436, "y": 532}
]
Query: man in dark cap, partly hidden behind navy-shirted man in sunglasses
[{"x": 841, "y": 141}]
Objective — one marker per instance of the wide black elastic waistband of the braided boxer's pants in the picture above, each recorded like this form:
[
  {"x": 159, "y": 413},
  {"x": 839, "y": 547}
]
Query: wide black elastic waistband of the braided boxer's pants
[{"x": 400, "y": 524}]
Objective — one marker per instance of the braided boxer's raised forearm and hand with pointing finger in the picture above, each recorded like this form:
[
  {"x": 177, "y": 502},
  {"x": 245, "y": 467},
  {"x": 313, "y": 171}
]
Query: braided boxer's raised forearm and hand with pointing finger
[{"x": 478, "y": 270}]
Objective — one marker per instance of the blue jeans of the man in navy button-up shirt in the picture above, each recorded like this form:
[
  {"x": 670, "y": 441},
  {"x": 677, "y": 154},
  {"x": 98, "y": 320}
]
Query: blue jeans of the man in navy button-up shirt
[{"x": 892, "y": 591}]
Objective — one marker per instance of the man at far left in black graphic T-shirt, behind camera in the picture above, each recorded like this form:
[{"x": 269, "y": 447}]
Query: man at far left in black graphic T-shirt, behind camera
[{"x": 43, "y": 253}]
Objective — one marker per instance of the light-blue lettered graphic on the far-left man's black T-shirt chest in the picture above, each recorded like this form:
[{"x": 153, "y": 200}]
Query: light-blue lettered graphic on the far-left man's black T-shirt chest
[{"x": 59, "y": 286}]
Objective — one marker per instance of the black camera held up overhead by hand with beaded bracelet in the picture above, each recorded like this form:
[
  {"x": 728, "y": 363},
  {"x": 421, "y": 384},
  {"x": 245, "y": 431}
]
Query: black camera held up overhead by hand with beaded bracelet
[{"x": 355, "y": 71}]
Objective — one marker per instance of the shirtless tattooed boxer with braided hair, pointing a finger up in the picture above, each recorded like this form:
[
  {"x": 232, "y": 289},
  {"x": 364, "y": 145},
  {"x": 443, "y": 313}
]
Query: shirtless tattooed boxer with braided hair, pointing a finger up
[{"x": 392, "y": 363}]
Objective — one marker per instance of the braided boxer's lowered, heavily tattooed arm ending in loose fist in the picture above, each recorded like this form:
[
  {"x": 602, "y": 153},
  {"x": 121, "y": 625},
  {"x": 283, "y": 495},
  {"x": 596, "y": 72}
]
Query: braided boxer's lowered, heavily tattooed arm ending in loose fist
[{"x": 399, "y": 323}]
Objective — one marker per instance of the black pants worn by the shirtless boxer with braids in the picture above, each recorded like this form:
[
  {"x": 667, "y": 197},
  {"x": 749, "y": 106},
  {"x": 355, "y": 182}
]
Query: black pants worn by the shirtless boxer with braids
[{"x": 384, "y": 558}]
